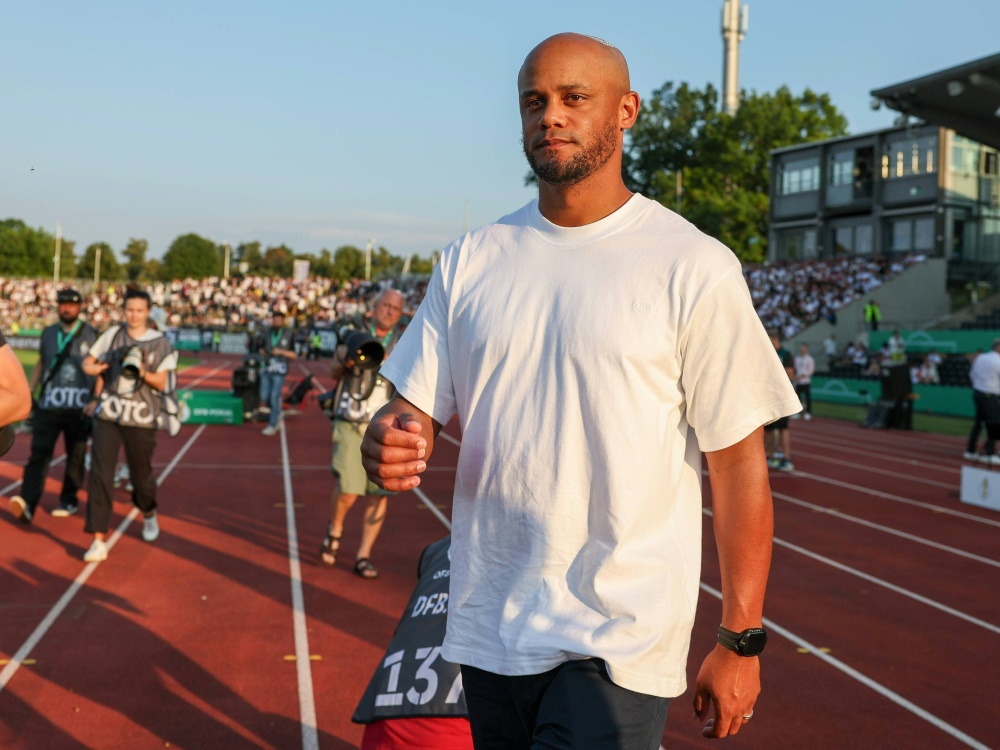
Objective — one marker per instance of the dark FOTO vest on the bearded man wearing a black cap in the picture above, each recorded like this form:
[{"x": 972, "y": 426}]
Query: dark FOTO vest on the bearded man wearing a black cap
[{"x": 70, "y": 387}]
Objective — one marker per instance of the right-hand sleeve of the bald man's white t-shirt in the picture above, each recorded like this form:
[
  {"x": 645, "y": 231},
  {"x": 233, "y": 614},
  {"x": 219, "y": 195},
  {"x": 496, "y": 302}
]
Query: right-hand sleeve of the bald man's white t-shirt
[{"x": 733, "y": 382}]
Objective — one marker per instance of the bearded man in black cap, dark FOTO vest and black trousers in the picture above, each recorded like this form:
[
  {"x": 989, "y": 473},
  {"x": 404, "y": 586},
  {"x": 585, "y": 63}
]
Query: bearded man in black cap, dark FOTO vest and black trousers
[{"x": 63, "y": 407}]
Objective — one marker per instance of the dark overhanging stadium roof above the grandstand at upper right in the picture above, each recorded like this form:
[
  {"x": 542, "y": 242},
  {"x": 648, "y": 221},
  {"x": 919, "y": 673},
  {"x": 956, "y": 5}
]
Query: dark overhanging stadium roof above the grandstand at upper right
[{"x": 965, "y": 98}]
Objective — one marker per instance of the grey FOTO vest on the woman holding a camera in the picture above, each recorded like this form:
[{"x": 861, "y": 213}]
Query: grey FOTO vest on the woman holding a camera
[{"x": 132, "y": 403}]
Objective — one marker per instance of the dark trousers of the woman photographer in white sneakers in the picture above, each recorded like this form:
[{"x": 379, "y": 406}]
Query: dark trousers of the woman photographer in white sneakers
[{"x": 139, "y": 442}]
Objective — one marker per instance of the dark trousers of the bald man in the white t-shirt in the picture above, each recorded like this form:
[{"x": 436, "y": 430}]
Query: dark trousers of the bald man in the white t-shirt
[{"x": 575, "y": 705}]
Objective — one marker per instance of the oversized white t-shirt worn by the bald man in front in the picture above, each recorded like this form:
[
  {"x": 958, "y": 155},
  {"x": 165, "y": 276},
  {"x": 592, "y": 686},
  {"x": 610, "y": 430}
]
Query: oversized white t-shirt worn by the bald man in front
[{"x": 587, "y": 365}]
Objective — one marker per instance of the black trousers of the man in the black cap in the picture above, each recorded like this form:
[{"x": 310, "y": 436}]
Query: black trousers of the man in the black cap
[{"x": 46, "y": 426}]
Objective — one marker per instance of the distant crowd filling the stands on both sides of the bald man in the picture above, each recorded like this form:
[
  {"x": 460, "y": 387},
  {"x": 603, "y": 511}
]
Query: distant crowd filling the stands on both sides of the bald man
[{"x": 788, "y": 296}]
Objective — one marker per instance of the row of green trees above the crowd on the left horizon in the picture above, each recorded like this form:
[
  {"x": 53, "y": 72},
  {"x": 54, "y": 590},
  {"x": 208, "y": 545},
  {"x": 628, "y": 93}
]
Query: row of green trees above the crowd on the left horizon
[{"x": 30, "y": 252}]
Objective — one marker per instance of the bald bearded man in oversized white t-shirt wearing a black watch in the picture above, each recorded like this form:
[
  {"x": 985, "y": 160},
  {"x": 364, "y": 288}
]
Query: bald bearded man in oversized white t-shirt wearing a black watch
[{"x": 577, "y": 509}]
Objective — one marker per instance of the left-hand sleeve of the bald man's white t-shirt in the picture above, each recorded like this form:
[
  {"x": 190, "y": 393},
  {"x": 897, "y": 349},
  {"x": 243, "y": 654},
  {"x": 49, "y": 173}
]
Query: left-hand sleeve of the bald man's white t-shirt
[{"x": 419, "y": 366}]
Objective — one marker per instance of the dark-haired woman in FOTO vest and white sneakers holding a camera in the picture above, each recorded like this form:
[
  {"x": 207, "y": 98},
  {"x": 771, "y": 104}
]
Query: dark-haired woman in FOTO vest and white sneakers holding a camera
[{"x": 136, "y": 363}]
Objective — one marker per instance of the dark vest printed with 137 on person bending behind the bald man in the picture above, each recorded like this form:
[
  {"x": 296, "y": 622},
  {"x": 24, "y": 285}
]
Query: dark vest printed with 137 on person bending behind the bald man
[{"x": 412, "y": 679}]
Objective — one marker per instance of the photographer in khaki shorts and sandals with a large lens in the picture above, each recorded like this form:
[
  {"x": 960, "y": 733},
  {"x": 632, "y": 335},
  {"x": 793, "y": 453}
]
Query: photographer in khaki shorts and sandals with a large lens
[{"x": 352, "y": 412}]
